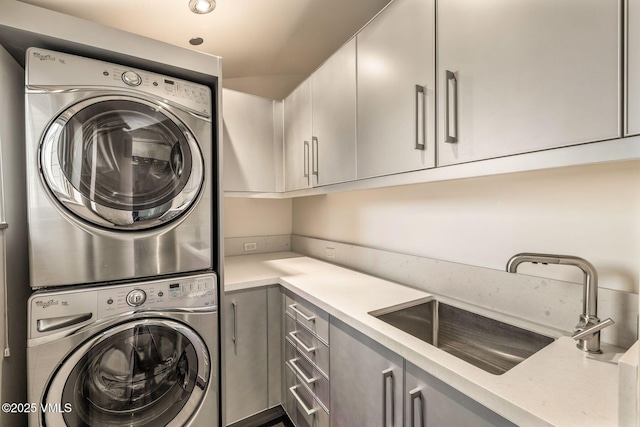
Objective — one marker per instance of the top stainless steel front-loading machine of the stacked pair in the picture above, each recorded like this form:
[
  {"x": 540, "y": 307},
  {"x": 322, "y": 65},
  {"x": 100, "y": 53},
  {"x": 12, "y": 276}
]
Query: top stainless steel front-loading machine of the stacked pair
[{"x": 119, "y": 165}]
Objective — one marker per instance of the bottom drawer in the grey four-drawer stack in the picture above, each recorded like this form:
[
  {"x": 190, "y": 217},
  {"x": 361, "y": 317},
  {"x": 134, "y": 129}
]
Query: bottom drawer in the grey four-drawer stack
[{"x": 302, "y": 407}]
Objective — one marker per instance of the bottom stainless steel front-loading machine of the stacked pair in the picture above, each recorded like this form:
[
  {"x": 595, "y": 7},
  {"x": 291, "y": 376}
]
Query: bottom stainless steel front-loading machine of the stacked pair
[{"x": 136, "y": 355}]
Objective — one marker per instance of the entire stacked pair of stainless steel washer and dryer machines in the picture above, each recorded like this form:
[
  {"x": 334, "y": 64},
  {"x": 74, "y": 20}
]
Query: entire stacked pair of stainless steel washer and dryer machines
[{"x": 123, "y": 326}]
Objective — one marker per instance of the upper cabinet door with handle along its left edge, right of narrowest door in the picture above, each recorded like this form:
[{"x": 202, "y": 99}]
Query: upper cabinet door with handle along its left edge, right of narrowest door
[{"x": 333, "y": 88}]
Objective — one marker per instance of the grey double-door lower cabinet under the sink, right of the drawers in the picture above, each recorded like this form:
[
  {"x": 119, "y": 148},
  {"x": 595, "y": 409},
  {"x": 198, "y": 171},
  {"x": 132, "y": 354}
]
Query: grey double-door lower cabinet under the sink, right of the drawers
[{"x": 372, "y": 386}]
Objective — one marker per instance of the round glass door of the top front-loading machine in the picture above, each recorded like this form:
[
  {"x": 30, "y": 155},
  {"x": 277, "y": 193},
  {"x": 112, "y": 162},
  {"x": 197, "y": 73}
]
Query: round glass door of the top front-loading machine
[{"x": 121, "y": 163}]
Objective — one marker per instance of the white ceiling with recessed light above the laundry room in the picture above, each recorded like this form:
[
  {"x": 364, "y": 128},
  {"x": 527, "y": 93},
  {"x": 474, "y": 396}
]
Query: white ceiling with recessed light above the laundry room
[{"x": 268, "y": 46}]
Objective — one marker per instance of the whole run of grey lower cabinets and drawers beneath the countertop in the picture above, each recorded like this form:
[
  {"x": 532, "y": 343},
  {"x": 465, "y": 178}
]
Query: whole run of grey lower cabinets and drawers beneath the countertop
[{"x": 277, "y": 351}]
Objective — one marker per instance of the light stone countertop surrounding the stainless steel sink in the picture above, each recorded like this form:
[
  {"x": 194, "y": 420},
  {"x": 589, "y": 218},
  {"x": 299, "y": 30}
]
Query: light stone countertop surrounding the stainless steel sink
[{"x": 559, "y": 385}]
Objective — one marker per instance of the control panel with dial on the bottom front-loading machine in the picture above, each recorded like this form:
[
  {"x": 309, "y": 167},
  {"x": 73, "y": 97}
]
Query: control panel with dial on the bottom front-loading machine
[{"x": 59, "y": 311}]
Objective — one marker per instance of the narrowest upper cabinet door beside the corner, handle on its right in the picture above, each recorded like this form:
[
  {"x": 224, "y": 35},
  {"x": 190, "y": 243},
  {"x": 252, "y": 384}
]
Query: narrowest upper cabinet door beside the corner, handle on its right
[{"x": 297, "y": 138}]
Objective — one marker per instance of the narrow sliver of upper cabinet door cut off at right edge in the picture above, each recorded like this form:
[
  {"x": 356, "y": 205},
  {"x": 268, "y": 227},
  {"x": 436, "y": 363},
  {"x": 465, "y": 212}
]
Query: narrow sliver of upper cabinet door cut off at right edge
[{"x": 633, "y": 68}]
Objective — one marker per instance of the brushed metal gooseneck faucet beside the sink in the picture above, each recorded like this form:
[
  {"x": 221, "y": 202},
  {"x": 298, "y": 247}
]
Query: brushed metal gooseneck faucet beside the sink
[{"x": 587, "y": 331}]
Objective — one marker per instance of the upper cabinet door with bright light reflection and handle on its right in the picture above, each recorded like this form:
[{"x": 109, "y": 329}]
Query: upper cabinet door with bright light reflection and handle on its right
[{"x": 396, "y": 90}]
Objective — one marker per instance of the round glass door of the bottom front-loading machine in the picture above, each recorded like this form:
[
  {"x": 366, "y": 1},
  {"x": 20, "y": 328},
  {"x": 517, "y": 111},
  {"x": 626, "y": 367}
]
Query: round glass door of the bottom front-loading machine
[{"x": 141, "y": 373}]
